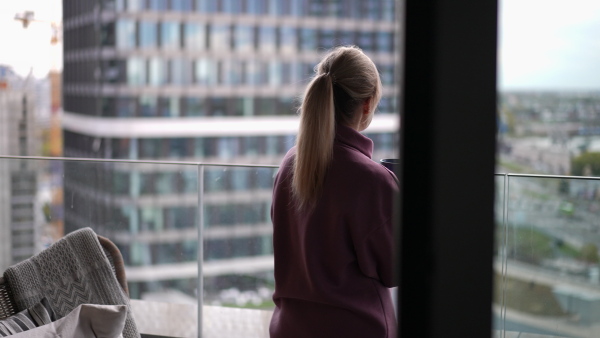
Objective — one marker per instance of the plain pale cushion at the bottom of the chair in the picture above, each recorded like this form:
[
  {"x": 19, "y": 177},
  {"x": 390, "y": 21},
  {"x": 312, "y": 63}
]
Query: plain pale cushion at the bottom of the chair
[{"x": 86, "y": 320}]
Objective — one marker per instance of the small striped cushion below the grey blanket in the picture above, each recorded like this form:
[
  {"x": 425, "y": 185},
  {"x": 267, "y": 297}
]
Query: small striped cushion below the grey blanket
[{"x": 37, "y": 315}]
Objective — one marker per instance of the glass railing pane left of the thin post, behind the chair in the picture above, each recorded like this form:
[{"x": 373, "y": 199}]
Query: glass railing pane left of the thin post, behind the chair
[{"x": 148, "y": 210}]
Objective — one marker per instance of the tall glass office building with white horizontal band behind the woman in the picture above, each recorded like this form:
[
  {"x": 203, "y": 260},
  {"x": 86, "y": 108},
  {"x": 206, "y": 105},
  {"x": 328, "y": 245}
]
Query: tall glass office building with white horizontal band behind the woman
[{"x": 211, "y": 81}]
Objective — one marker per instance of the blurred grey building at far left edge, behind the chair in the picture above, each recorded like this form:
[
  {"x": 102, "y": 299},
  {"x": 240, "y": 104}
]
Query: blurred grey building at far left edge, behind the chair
[{"x": 18, "y": 179}]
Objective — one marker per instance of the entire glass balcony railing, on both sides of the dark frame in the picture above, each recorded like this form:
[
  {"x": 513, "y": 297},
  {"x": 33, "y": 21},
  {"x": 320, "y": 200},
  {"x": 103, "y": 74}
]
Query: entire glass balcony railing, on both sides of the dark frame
[{"x": 197, "y": 241}]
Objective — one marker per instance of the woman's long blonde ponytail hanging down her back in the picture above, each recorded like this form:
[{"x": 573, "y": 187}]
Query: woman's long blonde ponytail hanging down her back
[{"x": 314, "y": 144}]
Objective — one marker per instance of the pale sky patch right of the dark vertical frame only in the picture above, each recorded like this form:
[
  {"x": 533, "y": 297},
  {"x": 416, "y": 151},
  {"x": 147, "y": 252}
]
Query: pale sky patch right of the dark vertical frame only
[{"x": 549, "y": 44}]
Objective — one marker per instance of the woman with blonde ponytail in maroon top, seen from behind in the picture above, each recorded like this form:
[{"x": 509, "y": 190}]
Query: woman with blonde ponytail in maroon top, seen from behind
[{"x": 332, "y": 212}]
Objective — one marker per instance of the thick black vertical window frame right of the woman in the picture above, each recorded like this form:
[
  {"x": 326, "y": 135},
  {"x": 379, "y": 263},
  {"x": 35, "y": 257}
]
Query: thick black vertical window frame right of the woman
[{"x": 447, "y": 174}]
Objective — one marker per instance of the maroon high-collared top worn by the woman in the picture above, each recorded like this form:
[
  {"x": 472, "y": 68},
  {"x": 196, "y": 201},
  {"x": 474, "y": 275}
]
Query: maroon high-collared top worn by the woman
[{"x": 333, "y": 265}]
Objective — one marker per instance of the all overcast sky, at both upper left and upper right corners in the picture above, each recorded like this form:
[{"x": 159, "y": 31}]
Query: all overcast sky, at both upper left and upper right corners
[{"x": 543, "y": 44}]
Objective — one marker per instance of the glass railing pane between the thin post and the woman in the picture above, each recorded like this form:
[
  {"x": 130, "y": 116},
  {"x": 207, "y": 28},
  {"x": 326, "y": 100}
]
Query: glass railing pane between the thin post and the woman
[{"x": 238, "y": 253}]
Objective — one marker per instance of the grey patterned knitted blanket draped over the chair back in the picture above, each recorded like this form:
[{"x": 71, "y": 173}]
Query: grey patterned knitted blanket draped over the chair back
[{"x": 71, "y": 272}]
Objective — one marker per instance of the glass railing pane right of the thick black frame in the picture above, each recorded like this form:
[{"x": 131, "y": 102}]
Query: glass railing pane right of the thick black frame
[{"x": 551, "y": 256}]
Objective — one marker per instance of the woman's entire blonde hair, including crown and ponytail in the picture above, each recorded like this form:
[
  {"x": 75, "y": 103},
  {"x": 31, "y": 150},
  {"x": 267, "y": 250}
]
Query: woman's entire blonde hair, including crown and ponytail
[{"x": 344, "y": 80}]
